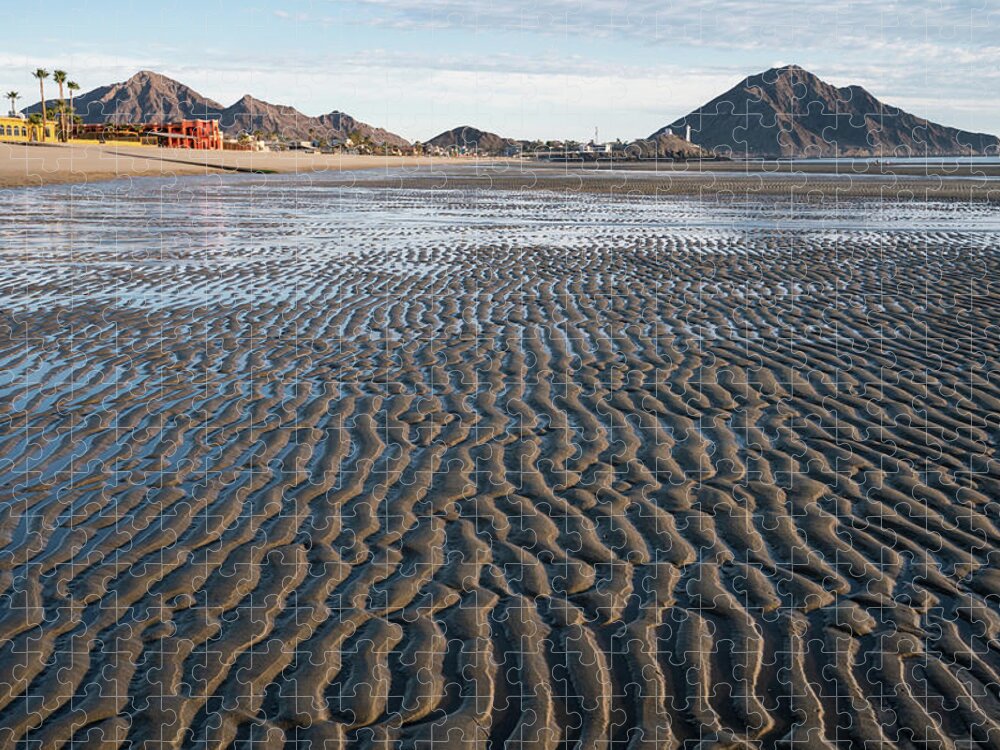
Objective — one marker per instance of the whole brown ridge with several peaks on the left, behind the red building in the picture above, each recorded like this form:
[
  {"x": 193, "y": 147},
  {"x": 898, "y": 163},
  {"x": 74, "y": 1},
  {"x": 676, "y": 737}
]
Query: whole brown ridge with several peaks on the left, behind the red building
[{"x": 151, "y": 97}]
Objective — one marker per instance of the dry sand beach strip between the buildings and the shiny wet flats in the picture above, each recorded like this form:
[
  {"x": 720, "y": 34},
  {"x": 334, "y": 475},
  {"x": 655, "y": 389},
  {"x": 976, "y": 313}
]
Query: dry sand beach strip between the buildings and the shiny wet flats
[{"x": 40, "y": 165}]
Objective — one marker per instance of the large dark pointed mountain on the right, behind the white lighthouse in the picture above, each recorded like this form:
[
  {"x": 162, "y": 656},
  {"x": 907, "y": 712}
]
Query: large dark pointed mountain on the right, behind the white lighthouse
[{"x": 789, "y": 111}]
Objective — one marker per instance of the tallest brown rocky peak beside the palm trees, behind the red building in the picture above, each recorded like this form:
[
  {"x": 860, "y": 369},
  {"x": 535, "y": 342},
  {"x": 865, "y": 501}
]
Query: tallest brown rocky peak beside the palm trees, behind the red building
[{"x": 145, "y": 97}]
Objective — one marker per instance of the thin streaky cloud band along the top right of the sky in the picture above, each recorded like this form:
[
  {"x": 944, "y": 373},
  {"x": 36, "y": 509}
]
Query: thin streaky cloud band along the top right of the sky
[{"x": 740, "y": 23}]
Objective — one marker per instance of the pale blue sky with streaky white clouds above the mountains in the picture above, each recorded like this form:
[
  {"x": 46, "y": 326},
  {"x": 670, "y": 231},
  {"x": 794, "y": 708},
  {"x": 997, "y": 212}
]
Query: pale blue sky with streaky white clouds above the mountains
[{"x": 521, "y": 68}]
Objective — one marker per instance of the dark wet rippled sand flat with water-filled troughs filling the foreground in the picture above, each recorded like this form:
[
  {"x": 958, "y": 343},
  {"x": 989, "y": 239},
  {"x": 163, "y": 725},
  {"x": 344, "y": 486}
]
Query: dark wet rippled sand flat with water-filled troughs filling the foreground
[{"x": 293, "y": 466}]
